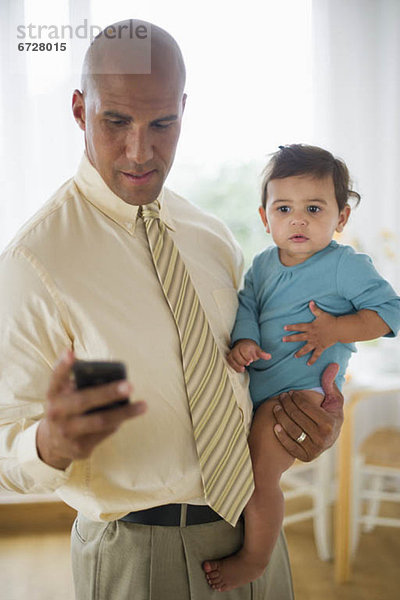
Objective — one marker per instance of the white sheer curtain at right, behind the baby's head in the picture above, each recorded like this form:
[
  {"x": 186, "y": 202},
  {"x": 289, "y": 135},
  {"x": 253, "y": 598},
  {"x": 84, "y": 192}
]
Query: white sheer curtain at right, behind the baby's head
[{"x": 356, "y": 90}]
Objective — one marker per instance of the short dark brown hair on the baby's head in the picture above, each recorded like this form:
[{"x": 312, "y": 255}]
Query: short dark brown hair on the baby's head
[{"x": 301, "y": 159}]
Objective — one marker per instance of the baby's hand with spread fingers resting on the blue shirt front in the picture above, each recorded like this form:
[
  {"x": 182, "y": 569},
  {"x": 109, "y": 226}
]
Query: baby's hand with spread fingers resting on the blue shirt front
[{"x": 319, "y": 335}]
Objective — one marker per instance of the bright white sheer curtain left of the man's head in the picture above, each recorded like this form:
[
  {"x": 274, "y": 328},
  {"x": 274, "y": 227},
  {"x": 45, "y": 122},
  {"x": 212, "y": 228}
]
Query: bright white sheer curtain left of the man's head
[{"x": 40, "y": 144}]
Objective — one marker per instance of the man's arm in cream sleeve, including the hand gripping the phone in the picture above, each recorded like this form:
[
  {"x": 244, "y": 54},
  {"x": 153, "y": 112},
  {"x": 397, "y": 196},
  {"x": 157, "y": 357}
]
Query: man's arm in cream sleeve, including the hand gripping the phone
[{"x": 39, "y": 437}]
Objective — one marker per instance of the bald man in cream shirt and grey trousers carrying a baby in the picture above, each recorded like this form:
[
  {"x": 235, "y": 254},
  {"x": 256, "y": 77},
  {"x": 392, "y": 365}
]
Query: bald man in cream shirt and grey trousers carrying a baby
[{"x": 79, "y": 281}]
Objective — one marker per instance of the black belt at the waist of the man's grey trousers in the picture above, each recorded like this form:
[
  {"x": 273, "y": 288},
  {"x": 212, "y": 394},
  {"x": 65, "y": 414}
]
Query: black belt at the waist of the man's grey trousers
[{"x": 173, "y": 515}]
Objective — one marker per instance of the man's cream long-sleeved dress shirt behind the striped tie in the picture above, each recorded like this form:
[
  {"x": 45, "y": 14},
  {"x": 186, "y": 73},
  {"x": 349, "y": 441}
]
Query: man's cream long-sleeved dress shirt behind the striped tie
[{"x": 79, "y": 274}]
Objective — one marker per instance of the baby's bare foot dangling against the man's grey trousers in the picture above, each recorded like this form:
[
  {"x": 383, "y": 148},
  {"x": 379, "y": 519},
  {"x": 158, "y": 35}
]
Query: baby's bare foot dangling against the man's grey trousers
[{"x": 232, "y": 572}]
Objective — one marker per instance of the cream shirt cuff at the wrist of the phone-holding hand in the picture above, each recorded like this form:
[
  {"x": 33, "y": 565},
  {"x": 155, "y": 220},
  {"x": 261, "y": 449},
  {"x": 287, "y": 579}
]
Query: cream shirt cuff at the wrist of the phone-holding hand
[{"x": 41, "y": 477}]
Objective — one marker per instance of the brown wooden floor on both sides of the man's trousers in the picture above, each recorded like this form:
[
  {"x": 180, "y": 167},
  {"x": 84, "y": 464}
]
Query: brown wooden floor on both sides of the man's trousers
[{"x": 36, "y": 565}]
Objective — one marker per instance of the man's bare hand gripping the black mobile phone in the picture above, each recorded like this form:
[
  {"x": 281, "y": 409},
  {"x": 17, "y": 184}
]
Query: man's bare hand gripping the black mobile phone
[{"x": 77, "y": 420}]
